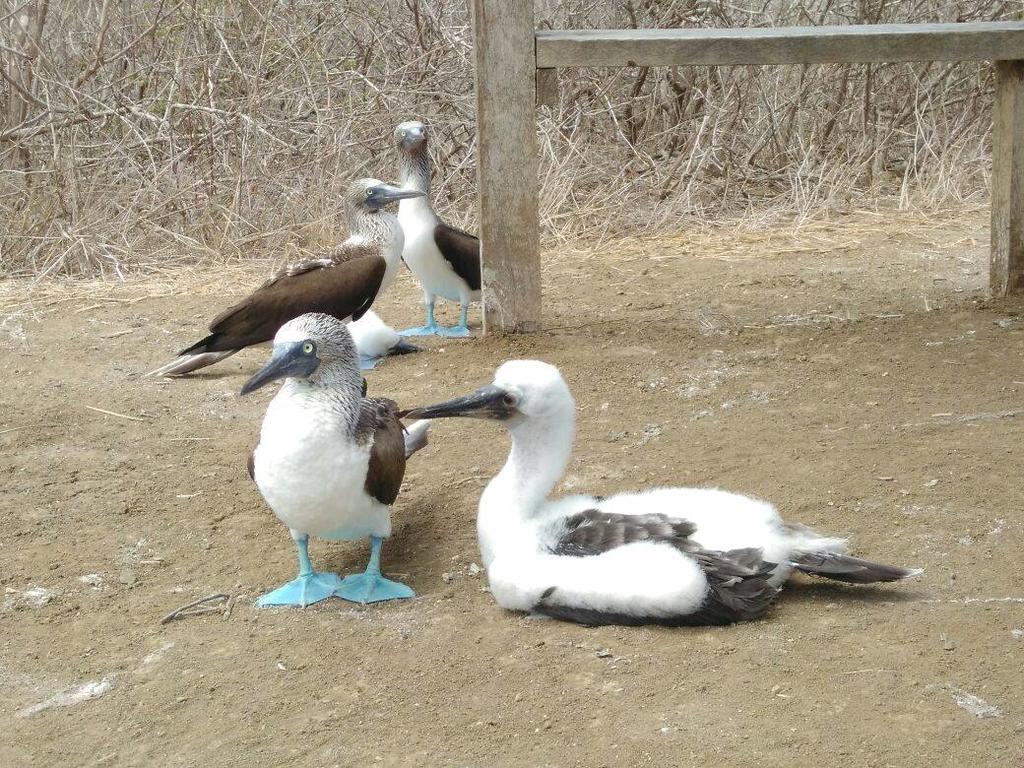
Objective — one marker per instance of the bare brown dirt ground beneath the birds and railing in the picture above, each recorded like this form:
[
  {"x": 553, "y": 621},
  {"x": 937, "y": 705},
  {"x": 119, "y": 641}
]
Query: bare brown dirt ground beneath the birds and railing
[{"x": 852, "y": 373}]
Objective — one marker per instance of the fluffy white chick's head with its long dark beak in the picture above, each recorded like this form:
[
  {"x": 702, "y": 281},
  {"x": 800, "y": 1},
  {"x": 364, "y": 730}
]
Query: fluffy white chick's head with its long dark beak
[{"x": 523, "y": 392}]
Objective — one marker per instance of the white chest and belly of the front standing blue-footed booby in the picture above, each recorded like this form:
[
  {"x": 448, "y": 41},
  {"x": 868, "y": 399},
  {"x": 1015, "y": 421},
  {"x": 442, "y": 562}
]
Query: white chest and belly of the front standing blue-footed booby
[{"x": 312, "y": 474}]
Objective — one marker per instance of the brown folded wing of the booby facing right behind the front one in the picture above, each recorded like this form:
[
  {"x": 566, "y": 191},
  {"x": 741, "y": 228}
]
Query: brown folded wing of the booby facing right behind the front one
[{"x": 345, "y": 289}]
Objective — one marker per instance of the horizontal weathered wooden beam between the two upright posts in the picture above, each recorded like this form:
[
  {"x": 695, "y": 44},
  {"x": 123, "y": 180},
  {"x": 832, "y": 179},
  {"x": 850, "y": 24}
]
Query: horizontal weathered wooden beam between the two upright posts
[{"x": 782, "y": 46}]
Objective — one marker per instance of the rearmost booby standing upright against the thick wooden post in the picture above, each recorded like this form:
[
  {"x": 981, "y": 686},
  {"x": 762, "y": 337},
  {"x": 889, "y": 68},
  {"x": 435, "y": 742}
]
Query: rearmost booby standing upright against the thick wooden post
[{"x": 444, "y": 260}]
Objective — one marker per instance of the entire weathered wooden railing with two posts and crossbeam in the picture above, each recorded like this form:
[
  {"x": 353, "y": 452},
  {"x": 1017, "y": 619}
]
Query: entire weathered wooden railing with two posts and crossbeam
[{"x": 516, "y": 64}]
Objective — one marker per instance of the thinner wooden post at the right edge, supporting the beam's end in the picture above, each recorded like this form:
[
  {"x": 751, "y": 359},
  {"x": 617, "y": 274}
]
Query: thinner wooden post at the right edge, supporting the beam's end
[{"x": 1007, "y": 271}]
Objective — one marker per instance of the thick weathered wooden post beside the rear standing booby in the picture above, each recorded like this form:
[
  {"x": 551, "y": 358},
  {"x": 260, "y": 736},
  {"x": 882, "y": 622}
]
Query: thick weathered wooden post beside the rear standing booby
[{"x": 507, "y": 169}]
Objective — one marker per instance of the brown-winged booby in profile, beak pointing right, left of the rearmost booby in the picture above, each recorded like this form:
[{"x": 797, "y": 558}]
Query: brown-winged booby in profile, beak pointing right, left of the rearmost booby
[{"x": 343, "y": 283}]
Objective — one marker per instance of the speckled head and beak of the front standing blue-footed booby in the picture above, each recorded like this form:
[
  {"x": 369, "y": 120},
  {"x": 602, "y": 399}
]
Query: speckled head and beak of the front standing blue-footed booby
[{"x": 308, "y": 349}]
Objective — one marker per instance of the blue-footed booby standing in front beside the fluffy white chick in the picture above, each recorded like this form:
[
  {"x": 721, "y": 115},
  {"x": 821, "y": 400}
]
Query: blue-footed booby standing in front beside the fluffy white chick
[{"x": 330, "y": 461}]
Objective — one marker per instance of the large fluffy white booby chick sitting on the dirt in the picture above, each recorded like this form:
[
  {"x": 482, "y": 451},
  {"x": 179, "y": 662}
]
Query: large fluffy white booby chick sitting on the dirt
[{"x": 672, "y": 557}]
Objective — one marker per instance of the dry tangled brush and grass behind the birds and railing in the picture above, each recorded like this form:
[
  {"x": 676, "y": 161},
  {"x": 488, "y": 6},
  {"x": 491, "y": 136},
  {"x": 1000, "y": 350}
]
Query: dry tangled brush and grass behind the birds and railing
[{"x": 151, "y": 134}]
